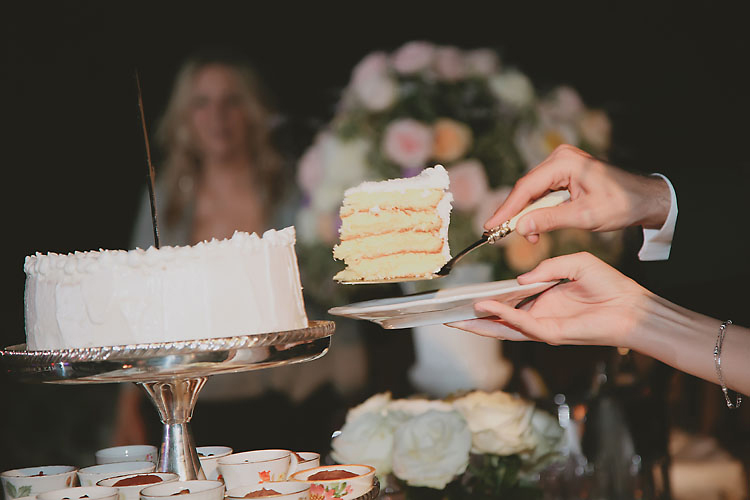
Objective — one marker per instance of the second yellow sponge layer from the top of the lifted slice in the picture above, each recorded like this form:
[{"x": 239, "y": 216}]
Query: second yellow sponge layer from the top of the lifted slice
[{"x": 362, "y": 224}]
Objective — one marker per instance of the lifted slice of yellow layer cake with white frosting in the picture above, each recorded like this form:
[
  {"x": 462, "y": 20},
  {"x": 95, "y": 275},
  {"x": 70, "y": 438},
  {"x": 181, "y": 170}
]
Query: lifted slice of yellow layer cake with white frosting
[{"x": 395, "y": 229}]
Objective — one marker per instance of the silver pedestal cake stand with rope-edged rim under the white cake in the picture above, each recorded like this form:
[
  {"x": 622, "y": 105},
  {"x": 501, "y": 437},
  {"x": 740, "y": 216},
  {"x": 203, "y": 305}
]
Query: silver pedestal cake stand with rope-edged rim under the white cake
[{"x": 171, "y": 373}]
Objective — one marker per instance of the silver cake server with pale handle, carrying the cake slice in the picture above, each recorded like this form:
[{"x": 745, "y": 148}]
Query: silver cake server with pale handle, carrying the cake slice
[{"x": 491, "y": 236}]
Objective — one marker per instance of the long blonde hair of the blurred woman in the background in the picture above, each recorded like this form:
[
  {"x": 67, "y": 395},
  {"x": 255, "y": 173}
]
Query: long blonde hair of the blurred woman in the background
[{"x": 181, "y": 159}]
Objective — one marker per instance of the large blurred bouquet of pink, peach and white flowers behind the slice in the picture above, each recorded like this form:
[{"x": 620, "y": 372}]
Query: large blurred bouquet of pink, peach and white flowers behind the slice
[{"x": 425, "y": 104}]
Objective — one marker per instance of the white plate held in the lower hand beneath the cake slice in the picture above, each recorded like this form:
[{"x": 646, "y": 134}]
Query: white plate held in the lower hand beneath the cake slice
[{"x": 438, "y": 306}]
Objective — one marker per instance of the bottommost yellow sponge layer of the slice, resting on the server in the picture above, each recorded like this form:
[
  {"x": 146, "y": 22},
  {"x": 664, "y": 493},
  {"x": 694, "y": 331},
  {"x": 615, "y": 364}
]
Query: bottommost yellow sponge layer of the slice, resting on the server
[{"x": 406, "y": 265}]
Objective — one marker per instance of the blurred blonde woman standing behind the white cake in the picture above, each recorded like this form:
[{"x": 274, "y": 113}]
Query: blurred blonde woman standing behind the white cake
[{"x": 222, "y": 172}]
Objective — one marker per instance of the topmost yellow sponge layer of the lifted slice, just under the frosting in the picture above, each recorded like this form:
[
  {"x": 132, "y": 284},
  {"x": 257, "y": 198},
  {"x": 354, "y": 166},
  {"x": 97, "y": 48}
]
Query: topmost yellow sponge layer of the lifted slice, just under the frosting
[{"x": 410, "y": 199}]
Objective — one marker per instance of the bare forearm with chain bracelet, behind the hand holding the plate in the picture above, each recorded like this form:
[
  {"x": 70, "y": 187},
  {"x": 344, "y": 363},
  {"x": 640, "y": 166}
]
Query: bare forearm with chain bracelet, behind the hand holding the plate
[{"x": 685, "y": 340}]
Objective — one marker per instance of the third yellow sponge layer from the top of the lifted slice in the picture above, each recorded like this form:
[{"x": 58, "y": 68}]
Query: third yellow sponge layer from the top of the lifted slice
[{"x": 388, "y": 244}]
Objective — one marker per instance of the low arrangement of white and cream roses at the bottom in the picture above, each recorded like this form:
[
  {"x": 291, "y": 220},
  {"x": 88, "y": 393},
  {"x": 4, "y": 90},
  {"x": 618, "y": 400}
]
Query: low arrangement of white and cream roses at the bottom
[{"x": 479, "y": 445}]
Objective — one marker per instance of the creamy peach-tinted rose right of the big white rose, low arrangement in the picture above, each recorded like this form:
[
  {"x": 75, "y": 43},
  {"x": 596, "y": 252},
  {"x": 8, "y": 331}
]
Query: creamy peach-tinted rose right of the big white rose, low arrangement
[{"x": 500, "y": 423}]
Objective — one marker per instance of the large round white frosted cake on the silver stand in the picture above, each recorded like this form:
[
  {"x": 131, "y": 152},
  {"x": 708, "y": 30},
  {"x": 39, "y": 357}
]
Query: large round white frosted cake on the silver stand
[{"x": 219, "y": 288}]
